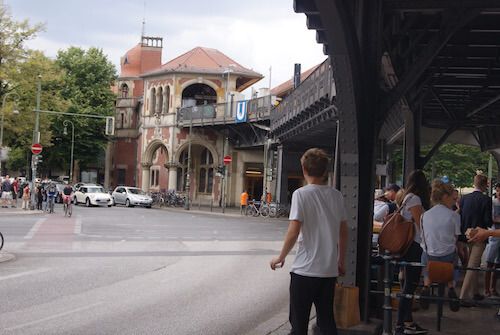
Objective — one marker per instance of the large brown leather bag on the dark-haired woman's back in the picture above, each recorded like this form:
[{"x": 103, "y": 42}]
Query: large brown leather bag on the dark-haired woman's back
[{"x": 397, "y": 233}]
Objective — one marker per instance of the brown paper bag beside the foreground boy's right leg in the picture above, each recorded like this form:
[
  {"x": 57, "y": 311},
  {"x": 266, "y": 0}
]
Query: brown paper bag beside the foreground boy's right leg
[{"x": 346, "y": 306}]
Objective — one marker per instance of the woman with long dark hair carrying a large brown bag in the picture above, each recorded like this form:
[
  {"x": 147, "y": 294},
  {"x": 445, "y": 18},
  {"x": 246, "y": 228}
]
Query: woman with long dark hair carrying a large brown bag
[{"x": 416, "y": 199}]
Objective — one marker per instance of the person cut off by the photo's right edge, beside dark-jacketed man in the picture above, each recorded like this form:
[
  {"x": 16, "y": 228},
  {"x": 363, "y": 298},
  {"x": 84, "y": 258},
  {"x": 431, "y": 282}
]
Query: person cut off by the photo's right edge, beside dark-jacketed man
[{"x": 492, "y": 250}]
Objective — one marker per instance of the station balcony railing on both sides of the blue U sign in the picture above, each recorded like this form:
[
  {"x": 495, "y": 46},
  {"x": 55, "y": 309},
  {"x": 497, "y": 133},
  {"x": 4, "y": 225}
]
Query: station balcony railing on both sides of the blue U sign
[{"x": 223, "y": 113}]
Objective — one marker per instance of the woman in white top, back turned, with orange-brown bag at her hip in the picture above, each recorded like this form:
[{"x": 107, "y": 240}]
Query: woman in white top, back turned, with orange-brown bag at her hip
[{"x": 440, "y": 231}]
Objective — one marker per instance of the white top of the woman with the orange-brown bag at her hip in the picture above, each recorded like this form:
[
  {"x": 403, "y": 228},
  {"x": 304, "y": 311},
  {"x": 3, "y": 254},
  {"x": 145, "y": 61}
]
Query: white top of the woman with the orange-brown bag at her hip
[{"x": 441, "y": 228}]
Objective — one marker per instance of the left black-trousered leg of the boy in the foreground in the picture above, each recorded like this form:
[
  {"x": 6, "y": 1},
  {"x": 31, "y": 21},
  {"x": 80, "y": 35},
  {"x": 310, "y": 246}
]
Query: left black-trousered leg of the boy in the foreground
[{"x": 300, "y": 304}]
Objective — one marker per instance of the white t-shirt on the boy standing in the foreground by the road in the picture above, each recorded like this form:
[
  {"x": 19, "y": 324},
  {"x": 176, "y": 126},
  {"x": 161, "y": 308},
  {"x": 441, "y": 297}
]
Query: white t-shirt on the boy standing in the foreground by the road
[{"x": 320, "y": 209}]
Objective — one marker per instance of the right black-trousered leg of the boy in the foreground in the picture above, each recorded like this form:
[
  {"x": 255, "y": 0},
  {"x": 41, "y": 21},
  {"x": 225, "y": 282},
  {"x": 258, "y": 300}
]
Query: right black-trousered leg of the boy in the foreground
[{"x": 324, "y": 306}]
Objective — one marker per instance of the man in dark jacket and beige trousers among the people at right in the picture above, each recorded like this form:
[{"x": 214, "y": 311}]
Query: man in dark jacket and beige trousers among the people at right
[{"x": 475, "y": 211}]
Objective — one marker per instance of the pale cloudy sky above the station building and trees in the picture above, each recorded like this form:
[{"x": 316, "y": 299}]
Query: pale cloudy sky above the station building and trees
[{"x": 257, "y": 34}]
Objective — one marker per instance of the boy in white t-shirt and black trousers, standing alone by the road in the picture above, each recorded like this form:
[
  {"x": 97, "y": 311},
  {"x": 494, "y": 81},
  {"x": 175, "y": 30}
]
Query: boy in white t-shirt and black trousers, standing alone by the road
[{"x": 318, "y": 221}]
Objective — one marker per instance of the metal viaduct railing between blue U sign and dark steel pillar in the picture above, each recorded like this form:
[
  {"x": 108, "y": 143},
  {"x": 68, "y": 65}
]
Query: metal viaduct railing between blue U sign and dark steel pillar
[{"x": 315, "y": 88}]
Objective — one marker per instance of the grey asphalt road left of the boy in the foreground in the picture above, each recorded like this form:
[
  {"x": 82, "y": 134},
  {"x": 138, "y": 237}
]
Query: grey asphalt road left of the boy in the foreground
[{"x": 141, "y": 271}]
